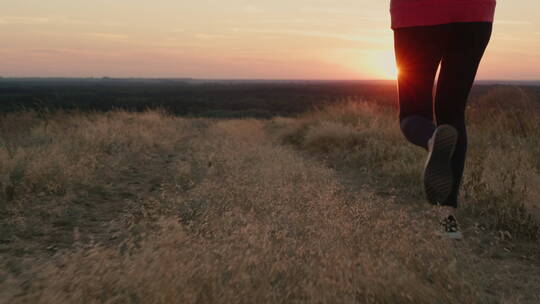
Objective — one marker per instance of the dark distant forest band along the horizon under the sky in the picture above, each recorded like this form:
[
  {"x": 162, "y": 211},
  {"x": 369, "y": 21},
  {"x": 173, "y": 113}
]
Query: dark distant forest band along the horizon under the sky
[{"x": 187, "y": 97}]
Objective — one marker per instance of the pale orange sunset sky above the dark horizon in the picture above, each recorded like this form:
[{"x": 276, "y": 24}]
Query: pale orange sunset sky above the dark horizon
[{"x": 278, "y": 39}]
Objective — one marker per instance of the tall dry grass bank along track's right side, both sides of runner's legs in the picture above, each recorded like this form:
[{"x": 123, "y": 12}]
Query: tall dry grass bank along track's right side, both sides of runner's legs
[{"x": 502, "y": 179}]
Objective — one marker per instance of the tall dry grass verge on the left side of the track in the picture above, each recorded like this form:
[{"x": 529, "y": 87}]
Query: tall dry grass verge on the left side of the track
[{"x": 55, "y": 154}]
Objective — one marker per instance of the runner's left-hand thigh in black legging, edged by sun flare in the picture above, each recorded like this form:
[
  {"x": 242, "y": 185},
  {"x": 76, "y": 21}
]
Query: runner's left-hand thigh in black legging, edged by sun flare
[{"x": 418, "y": 54}]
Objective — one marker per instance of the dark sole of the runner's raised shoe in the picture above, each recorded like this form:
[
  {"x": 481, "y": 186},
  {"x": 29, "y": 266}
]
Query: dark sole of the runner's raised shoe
[{"x": 438, "y": 177}]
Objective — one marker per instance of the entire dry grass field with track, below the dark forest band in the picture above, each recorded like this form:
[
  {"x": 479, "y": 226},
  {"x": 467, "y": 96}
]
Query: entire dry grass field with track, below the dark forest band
[{"x": 123, "y": 207}]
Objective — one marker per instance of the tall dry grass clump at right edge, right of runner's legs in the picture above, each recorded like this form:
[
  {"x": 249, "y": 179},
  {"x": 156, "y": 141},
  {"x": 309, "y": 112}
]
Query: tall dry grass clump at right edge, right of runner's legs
[{"x": 503, "y": 180}]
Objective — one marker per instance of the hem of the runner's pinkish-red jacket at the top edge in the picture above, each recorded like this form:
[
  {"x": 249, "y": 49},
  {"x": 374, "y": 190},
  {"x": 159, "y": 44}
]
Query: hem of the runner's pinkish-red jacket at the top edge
[{"x": 406, "y": 13}]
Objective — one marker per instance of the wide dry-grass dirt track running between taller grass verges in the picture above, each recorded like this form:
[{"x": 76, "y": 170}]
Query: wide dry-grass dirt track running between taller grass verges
[{"x": 254, "y": 220}]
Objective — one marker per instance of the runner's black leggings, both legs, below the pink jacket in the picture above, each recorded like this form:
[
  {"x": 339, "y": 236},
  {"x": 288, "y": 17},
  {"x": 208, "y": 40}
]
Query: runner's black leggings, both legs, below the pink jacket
[{"x": 458, "y": 48}]
